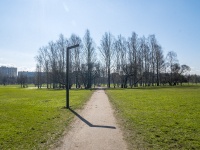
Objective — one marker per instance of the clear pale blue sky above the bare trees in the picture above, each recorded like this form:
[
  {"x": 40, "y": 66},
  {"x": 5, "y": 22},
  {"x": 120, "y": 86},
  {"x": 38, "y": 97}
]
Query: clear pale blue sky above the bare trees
[{"x": 27, "y": 25}]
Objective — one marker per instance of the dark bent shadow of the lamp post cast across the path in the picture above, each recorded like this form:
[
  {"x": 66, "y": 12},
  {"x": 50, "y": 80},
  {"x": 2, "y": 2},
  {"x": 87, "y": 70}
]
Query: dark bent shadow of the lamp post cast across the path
[{"x": 88, "y": 123}]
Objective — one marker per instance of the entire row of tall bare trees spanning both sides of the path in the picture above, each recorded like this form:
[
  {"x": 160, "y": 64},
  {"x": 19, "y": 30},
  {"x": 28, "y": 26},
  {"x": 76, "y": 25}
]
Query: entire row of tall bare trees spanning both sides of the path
[{"x": 120, "y": 61}]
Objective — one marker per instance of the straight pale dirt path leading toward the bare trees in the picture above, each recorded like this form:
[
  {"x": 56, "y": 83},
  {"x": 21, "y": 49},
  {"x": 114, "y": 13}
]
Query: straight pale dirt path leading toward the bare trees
[{"x": 95, "y": 128}]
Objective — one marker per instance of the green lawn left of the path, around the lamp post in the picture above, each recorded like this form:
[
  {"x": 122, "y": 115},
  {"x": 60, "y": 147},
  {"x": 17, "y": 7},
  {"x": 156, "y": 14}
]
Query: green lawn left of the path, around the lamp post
[{"x": 35, "y": 118}]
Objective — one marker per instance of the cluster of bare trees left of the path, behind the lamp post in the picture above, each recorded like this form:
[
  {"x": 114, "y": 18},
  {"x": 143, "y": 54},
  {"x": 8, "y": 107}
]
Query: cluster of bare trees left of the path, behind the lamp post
[{"x": 52, "y": 61}]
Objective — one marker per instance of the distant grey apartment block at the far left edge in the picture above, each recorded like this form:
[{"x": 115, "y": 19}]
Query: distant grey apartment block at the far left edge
[{"x": 8, "y": 71}]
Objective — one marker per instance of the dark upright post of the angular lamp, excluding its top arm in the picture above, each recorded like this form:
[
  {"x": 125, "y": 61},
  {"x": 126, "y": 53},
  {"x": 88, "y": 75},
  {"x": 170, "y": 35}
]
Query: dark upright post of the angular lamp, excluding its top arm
[{"x": 67, "y": 79}]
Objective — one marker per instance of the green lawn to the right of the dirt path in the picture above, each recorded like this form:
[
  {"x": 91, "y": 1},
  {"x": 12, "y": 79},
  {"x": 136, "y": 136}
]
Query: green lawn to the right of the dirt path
[{"x": 159, "y": 118}]
